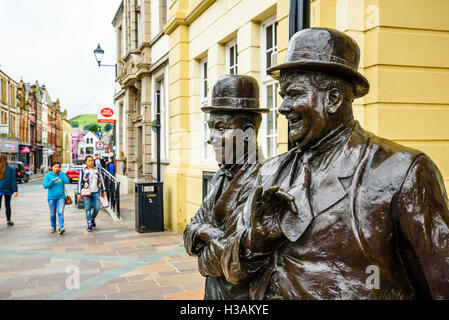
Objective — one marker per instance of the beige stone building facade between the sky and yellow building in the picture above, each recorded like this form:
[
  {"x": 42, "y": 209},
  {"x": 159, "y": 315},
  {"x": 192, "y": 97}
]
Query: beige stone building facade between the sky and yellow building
[{"x": 142, "y": 79}]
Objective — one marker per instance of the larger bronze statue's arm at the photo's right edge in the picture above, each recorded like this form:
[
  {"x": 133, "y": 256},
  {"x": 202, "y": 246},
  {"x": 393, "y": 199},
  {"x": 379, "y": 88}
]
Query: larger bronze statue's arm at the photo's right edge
[{"x": 423, "y": 223}]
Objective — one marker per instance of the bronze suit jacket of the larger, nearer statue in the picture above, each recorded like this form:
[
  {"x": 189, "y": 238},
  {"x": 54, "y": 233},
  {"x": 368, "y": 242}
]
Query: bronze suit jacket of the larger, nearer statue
[{"x": 376, "y": 205}]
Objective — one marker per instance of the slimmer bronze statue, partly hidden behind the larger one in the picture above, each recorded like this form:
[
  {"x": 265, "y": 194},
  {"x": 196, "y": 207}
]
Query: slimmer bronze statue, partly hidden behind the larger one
[{"x": 235, "y": 118}]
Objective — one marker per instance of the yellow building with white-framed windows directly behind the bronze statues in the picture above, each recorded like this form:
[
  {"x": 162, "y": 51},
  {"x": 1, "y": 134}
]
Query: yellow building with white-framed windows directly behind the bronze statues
[{"x": 404, "y": 55}]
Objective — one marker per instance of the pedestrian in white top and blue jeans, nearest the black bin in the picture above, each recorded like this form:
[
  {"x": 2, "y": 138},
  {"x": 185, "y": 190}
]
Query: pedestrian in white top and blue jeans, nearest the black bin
[{"x": 90, "y": 184}]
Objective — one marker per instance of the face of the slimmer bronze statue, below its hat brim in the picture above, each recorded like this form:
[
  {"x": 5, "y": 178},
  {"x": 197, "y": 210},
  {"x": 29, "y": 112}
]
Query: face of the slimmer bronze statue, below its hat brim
[{"x": 227, "y": 137}]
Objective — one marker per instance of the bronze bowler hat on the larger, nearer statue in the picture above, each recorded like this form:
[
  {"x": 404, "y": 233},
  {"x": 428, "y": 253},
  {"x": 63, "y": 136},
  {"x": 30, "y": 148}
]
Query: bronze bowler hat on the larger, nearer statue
[{"x": 326, "y": 50}]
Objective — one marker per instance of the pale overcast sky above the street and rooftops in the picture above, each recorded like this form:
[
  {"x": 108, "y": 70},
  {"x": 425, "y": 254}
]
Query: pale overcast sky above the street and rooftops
[{"x": 52, "y": 41}]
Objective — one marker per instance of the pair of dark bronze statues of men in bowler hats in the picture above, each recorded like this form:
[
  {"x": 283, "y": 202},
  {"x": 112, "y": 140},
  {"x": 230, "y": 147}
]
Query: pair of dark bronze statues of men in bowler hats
[{"x": 343, "y": 215}]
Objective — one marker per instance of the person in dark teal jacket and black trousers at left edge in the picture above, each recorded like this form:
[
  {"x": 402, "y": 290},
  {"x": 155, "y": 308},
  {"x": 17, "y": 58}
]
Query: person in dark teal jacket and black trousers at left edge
[{"x": 8, "y": 187}]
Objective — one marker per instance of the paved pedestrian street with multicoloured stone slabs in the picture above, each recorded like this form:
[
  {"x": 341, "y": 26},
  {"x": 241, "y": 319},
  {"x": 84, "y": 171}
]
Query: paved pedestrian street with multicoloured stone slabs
[{"x": 112, "y": 263}]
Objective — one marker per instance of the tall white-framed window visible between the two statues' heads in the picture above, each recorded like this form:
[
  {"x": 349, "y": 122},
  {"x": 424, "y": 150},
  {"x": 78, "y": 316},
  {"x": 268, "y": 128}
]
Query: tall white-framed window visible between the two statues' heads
[{"x": 269, "y": 87}]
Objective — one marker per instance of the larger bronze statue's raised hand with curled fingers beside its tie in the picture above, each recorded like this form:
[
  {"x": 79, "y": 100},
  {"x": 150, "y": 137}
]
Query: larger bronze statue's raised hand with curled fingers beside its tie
[{"x": 267, "y": 207}]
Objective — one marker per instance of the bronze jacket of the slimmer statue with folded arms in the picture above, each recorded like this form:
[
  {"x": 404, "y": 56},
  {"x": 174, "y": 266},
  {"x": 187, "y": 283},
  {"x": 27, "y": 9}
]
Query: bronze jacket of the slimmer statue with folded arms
[{"x": 219, "y": 214}]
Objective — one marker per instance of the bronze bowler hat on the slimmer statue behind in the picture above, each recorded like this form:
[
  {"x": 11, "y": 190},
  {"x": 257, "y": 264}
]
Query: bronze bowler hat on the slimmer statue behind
[{"x": 234, "y": 92}]
